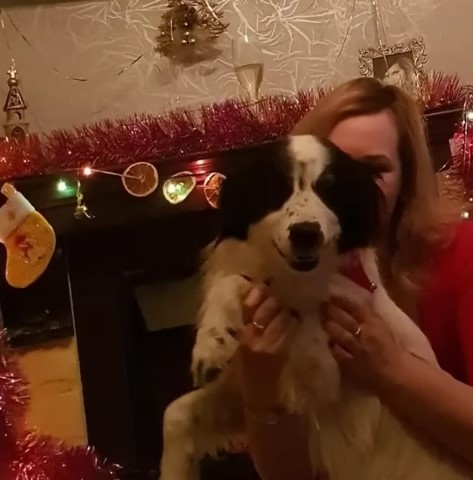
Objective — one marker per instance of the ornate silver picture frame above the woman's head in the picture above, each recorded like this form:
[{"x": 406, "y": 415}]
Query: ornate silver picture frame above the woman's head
[{"x": 401, "y": 64}]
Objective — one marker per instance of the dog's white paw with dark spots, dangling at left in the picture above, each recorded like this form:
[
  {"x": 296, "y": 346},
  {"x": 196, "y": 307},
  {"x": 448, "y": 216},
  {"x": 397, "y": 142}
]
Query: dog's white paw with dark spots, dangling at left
[{"x": 212, "y": 352}]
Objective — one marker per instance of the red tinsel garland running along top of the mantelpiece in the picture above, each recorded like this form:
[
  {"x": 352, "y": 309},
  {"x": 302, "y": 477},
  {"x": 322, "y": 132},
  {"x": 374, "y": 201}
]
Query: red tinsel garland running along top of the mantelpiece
[{"x": 180, "y": 134}]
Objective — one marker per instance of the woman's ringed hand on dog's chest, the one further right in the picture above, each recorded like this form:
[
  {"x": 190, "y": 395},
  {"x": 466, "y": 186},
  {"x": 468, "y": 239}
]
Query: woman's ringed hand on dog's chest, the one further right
[{"x": 360, "y": 340}]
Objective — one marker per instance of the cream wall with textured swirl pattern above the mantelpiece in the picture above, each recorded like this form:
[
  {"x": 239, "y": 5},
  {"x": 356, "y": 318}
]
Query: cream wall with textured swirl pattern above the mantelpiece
[{"x": 301, "y": 39}]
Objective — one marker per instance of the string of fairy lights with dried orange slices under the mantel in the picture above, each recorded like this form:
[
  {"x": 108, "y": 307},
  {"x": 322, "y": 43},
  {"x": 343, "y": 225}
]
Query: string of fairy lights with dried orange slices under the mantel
[{"x": 140, "y": 180}]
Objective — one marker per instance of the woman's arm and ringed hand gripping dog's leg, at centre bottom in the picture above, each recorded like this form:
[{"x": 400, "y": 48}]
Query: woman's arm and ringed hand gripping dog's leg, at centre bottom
[{"x": 277, "y": 441}]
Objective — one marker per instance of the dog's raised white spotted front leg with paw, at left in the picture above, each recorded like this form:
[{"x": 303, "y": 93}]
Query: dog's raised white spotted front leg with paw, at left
[{"x": 219, "y": 325}]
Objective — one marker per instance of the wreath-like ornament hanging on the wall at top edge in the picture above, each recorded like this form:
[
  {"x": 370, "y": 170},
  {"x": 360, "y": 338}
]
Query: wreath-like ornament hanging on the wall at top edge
[{"x": 188, "y": 31}]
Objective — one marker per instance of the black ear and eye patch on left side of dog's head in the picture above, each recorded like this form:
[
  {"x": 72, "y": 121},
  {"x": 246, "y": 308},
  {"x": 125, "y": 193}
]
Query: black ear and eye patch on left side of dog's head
[{"x": 258, "y": 182}]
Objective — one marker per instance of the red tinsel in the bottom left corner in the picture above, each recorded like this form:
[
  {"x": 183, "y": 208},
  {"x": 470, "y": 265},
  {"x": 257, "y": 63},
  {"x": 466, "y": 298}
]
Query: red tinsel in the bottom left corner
[{"x": 26, "y": 455}]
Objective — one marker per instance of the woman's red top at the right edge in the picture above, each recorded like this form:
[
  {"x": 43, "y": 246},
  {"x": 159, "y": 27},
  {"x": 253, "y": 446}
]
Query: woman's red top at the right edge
[{"x": 446, "y": 307}]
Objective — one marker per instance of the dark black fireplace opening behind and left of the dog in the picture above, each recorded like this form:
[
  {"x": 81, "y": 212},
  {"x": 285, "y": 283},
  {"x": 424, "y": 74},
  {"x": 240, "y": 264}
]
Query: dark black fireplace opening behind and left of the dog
[{"x": 135, "y": 293}]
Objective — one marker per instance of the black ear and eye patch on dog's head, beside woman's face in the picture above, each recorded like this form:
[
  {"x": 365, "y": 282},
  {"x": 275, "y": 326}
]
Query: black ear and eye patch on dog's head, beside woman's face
[{"x": 348, "y": 187}]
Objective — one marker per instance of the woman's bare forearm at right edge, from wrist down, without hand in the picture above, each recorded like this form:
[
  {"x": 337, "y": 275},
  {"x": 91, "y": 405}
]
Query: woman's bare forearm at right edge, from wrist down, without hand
[{"x": 434, "y": 401}]
